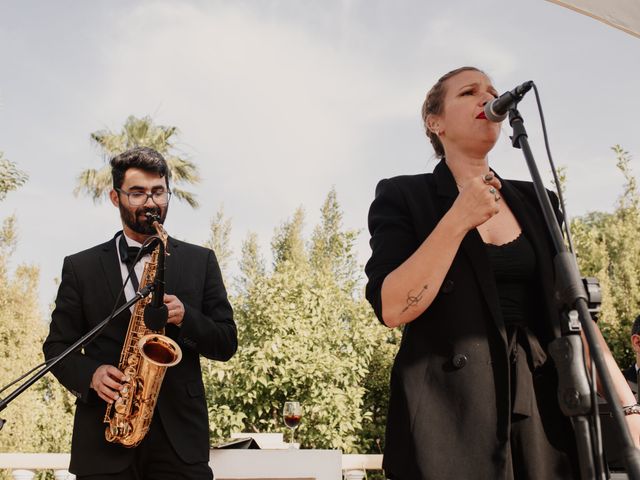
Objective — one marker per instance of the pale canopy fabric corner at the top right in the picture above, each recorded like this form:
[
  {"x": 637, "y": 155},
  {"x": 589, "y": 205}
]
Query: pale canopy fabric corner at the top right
[{"x": 622, "y": 14}]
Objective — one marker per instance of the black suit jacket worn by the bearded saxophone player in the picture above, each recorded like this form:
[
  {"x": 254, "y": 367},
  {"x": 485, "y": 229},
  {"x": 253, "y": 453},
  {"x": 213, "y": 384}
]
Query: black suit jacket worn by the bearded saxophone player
[{"x": 90, "y": 284}]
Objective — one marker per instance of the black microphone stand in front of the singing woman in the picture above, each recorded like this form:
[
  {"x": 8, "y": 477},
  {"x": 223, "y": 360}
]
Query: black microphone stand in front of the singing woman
[{"x": 574, "y": 390}]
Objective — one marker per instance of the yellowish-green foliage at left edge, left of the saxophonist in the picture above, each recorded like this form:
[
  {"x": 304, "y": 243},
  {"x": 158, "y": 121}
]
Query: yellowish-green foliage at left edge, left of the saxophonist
[{"x": 40, "y": 419}]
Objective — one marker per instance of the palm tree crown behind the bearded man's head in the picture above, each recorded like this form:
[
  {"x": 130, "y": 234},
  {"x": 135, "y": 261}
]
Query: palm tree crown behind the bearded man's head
[{"x": 138, "y": 132}]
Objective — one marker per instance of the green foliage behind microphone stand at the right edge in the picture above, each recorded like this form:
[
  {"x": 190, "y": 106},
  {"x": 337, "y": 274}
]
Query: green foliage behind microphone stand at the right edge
[{"x": 608, "y": 248}]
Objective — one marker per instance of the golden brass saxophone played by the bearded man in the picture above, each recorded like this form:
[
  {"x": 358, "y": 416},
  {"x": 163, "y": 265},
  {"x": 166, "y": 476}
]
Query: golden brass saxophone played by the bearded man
[{"x": 145, "y": 356}]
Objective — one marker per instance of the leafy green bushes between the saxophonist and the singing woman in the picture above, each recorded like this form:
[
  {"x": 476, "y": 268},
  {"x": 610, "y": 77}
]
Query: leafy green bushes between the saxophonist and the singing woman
[{"x": 305, "y": 334}]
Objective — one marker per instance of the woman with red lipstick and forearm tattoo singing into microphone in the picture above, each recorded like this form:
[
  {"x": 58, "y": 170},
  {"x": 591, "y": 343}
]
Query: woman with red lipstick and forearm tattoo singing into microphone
[{"x": 463, "y": 260}]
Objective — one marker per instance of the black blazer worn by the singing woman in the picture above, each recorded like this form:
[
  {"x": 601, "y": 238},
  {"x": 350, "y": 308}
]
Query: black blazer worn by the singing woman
[{"x": 450, "y": 404}]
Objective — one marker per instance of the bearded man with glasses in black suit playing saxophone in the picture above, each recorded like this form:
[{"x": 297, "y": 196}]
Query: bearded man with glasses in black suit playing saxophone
[{"x": 200, "y": 321}]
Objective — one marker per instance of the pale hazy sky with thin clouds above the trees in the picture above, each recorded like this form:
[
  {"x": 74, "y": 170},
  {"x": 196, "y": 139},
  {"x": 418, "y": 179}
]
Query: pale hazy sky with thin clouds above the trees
[{"x": 279, "y": 101}]
